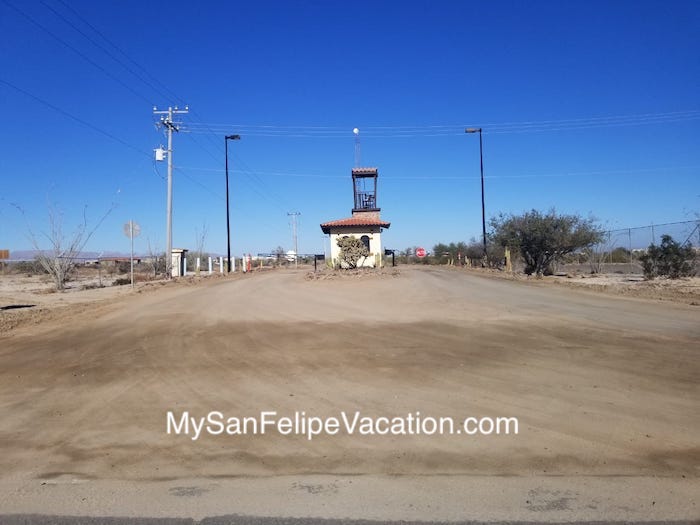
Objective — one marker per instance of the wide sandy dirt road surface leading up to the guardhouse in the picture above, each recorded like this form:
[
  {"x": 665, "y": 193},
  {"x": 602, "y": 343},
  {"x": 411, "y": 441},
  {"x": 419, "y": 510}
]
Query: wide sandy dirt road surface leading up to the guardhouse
[{"x": 605, "y": 390}]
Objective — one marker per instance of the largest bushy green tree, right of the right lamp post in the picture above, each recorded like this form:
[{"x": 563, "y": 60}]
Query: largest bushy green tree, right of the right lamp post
[{"x": 544, "y": 238}]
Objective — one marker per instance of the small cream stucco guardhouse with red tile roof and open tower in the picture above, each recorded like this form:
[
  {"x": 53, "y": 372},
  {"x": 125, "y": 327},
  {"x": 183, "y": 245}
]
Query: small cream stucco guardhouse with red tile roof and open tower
[{"x": 364, "y": 224}]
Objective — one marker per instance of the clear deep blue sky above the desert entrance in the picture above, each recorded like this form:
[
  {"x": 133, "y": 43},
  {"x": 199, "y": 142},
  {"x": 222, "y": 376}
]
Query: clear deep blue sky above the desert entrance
[{"x": 588, "y": 107}]
